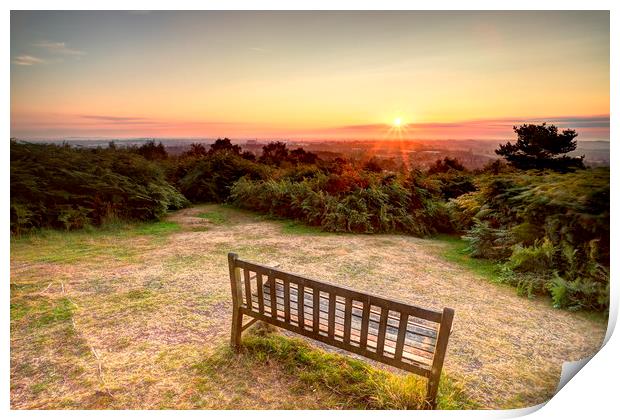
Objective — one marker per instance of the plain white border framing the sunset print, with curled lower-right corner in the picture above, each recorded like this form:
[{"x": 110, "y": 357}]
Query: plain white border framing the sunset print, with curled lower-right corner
[{"x": 592, "y": 394}]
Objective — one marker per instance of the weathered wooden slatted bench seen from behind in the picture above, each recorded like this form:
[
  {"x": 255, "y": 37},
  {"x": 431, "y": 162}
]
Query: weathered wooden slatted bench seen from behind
[{"x": 395, "y": 333}]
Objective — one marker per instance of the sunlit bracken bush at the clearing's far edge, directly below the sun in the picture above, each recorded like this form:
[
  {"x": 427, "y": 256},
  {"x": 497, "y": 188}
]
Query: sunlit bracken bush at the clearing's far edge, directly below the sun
[{"x": 364, "y": 203}]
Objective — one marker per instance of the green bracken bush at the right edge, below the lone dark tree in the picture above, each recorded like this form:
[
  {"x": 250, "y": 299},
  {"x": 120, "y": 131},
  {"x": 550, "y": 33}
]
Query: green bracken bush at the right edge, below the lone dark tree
[{"x": 549, "y": 230}]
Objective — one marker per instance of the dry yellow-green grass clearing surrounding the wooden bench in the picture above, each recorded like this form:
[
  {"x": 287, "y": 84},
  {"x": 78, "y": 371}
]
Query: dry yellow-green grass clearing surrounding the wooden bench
[{"x": 138, "y": 316}]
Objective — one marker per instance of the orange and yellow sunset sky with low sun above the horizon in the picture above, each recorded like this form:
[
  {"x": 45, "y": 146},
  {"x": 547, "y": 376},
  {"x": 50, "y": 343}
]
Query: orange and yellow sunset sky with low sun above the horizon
[{"x": 307, "y": 75}]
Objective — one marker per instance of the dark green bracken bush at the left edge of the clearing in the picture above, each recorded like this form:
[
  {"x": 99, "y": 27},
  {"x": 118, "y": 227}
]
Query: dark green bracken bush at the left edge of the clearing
[{"x": 65, "y": 187}]
